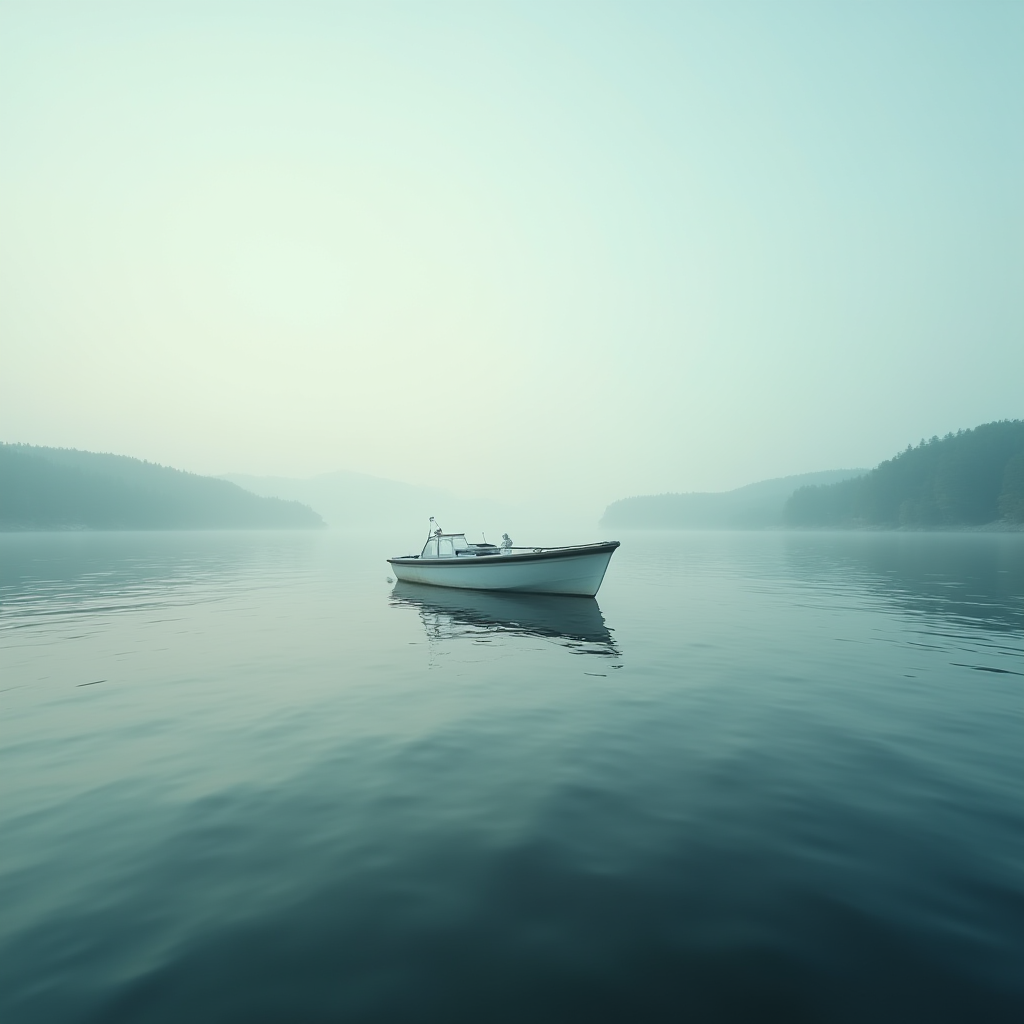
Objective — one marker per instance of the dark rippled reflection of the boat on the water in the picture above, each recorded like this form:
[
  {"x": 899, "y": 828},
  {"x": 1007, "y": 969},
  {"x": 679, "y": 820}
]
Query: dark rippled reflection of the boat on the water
[{"x": 575, "y": 623}]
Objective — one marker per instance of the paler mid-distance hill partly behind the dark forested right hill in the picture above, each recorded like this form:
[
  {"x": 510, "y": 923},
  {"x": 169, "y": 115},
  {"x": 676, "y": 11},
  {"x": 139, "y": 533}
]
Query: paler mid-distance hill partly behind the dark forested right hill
[{"x": 757, "y": 506}]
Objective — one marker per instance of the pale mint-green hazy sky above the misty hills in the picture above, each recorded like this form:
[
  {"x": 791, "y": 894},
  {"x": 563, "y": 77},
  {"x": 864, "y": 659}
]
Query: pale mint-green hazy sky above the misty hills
[{"x": 503, "y": 248}]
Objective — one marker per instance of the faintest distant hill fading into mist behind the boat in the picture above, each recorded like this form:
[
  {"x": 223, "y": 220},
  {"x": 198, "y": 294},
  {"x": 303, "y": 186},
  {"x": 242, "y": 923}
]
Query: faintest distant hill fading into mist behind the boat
[{"x": 357, "y": 500}]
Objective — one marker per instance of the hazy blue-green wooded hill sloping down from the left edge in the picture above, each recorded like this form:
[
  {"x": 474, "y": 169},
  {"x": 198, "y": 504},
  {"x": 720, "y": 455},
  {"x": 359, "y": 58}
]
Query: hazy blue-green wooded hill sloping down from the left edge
[{"x": 63, "y": 489}]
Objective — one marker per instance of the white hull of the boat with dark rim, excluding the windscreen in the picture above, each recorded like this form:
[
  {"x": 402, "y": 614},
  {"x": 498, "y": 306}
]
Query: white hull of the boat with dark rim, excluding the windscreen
[{"x": 578, "y": 571}]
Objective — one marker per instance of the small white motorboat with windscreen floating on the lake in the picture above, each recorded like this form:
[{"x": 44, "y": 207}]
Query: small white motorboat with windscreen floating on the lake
[{"x": 451, "y": 561}]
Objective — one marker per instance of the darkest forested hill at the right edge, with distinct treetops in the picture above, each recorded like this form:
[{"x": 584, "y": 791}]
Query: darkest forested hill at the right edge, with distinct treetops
[{"x": 970, "y": 479}]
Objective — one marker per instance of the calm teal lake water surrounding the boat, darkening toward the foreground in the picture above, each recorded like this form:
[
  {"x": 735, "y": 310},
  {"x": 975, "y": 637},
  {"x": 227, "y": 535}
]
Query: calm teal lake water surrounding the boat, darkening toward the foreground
[{"x": 764, "y": 777}]
